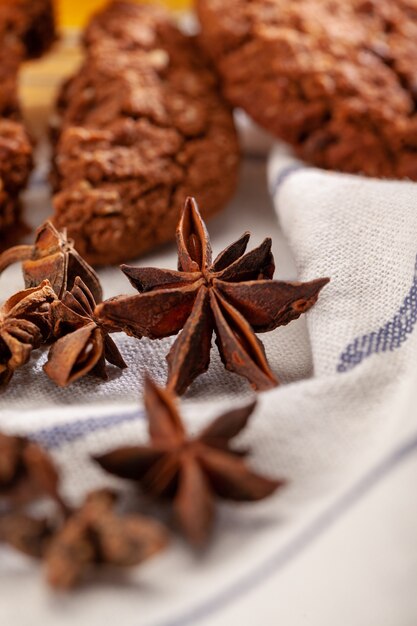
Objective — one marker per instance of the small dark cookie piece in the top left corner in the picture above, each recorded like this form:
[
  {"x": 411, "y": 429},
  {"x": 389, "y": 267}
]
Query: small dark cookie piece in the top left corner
[{"x": 31, "y": 21}]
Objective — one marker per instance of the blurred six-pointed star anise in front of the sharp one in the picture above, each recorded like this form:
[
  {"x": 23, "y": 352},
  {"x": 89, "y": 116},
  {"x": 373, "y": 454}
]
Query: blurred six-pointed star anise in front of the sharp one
[{"x": 189, "y": 471}]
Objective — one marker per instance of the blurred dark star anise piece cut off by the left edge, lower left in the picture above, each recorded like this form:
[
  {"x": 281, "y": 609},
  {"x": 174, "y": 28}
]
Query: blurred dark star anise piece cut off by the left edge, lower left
[{"x": 27, "y": 472}]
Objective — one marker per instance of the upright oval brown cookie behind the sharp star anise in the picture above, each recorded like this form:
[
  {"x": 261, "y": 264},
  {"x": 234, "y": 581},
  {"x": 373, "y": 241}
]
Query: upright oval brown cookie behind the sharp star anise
[{"x": 139, "y": 128}]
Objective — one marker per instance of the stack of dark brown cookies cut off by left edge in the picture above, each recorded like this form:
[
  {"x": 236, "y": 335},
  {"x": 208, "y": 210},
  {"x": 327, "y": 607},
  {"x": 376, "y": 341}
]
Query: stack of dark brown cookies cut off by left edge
[{"x": 26, "y": 31}]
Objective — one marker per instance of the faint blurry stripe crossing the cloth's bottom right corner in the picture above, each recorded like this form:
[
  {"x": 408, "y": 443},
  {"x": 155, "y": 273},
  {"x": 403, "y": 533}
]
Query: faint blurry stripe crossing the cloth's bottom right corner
[{"x": 278, "y": 560}]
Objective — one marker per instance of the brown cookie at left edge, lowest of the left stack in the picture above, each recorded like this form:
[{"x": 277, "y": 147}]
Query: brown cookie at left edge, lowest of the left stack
[{"x": 15, "y": 167}]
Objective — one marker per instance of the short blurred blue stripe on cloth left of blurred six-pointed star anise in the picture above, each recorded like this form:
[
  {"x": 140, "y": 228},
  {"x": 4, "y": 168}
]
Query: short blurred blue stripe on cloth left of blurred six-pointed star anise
[{"x": 61, "y": 434}]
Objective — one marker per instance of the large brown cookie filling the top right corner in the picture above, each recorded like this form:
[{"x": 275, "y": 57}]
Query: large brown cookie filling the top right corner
[{"x": 335, "y": 78}]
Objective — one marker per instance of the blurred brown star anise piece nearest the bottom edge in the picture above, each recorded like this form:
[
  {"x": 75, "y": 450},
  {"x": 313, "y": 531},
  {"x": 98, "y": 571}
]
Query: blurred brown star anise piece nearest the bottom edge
[{"x": 94, "y": 536}]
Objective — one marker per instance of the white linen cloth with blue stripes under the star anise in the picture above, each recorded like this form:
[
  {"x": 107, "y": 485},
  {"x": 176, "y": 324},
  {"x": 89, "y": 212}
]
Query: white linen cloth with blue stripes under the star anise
[{"x": 339, "y": 544}]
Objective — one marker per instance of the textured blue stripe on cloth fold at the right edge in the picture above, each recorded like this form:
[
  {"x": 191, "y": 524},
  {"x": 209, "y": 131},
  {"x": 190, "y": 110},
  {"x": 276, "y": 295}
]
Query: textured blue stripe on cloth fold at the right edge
[{"x": 388, "y": 337}]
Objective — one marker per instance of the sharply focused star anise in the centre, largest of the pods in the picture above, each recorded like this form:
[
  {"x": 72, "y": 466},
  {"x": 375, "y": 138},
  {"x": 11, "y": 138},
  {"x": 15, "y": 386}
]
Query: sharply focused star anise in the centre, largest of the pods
[{"x": 234, "y": 297}]
